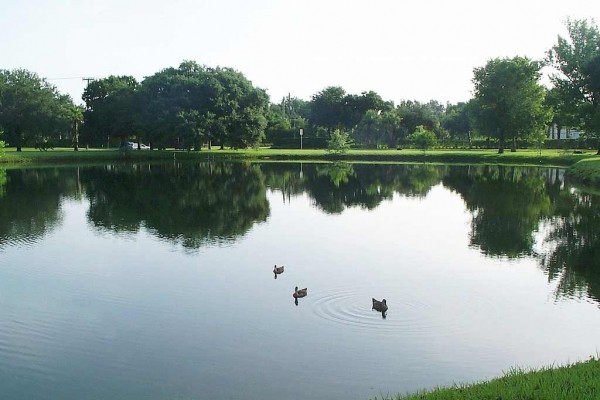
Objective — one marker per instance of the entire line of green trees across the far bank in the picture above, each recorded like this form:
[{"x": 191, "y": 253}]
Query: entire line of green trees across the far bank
[{"x": 191, "y": 106}]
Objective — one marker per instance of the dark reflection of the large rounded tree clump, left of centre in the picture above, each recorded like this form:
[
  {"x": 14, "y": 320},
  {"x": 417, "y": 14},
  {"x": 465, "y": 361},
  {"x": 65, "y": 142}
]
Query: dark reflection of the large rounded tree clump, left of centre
[{"x": 193, "y": 204}]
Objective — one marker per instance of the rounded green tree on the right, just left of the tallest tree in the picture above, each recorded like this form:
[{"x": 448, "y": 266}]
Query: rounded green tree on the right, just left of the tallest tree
[{"x": 510, "y": 99}]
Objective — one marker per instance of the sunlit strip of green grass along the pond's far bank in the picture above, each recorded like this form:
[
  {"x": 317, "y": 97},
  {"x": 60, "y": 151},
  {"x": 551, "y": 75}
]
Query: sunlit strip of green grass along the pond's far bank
[{"x": 585, "y": 167}]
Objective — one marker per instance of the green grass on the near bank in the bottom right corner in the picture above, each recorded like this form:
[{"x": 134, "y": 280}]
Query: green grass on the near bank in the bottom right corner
[{"x": 574, "y": 382}]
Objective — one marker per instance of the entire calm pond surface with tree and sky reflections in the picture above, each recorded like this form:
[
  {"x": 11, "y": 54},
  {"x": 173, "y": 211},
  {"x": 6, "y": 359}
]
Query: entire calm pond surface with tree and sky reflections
[{"x": 155, "y": 281}]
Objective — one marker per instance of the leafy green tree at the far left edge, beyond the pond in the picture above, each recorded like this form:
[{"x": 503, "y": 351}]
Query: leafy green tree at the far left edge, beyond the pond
[{"x": 31, "y": 110}]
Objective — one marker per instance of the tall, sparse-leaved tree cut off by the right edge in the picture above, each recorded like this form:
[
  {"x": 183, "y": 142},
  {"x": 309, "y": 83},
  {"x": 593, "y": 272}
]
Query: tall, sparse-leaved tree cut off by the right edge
[{"x": 577, "y": 60}]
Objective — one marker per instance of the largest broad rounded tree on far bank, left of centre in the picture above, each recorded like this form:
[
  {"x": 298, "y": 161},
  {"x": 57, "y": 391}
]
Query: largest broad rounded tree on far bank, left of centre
[{"x": 193, "y": 104}]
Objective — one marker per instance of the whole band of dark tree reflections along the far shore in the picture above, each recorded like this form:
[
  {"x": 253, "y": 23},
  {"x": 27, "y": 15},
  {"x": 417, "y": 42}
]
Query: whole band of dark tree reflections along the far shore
[{"x": 515, "y": 211}]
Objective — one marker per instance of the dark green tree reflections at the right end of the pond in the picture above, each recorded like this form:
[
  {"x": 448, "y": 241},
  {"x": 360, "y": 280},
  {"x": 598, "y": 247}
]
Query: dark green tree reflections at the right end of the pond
[{"x": 510, "y": 204}]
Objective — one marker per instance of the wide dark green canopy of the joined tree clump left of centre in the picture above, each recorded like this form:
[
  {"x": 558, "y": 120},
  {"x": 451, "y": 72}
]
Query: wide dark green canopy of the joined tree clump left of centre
[{"x": 182, "y": 107}]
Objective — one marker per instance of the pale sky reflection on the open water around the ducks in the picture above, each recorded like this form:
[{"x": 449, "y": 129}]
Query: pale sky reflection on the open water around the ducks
[{"x": 133, "y": 316}]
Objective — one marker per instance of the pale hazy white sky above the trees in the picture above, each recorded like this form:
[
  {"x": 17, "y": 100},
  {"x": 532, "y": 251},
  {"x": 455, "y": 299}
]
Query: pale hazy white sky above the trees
[{"x": 418, "y": 50}]
